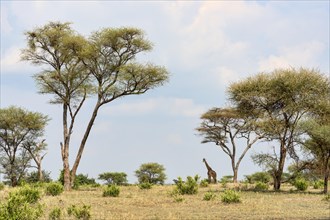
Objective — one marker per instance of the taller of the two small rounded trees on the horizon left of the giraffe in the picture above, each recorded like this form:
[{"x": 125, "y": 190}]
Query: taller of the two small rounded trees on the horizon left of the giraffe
[{"x": 151, "y": 173}]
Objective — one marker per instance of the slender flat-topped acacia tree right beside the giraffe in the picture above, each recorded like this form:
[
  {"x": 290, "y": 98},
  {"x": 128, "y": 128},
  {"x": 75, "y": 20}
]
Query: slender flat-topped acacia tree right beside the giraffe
[{"x": 223, "y": 126}]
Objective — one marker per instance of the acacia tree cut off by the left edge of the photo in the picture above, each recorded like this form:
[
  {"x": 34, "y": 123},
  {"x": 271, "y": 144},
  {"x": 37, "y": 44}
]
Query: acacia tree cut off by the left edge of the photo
[{"x": 18, "y": 128}]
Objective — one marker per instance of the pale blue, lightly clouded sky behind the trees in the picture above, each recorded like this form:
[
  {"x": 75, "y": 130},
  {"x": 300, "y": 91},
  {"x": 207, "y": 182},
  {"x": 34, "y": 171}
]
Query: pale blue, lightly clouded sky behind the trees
[{"x": 205, "y": 45}]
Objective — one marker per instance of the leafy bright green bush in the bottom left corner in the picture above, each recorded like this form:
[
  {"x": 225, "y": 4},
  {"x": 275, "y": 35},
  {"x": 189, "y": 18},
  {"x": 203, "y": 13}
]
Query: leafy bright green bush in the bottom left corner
[{"x": 22, "y": 204}]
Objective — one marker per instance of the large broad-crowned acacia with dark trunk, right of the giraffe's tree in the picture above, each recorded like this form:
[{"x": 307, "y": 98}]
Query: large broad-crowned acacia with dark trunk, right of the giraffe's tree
[{"x": 279, "y": 100}]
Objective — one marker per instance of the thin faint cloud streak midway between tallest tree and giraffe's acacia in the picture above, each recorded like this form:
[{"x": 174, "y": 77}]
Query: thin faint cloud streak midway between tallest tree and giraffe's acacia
[{"x": 166, "y": 106}]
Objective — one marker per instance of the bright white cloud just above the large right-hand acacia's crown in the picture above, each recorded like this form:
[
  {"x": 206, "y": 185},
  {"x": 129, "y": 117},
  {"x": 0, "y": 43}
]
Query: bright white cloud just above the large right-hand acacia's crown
[{"x": 305, "y": 55}]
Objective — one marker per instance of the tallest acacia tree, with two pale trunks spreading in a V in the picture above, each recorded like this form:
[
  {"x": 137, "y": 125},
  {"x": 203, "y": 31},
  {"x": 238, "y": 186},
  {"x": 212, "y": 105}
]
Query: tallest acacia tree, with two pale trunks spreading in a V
[{"x": 102, "y": 66}]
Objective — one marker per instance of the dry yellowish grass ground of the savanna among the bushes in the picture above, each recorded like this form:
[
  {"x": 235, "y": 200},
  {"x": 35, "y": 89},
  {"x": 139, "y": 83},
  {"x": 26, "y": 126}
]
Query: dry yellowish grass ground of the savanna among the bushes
[{"x": 159, "y": 203}]
